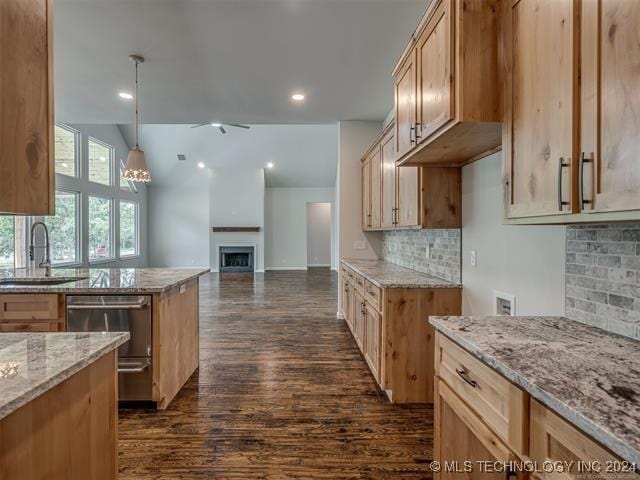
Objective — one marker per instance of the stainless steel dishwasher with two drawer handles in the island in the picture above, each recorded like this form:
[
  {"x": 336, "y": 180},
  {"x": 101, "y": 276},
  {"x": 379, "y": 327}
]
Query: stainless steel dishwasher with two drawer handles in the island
[{"x": 129, "y": 313}]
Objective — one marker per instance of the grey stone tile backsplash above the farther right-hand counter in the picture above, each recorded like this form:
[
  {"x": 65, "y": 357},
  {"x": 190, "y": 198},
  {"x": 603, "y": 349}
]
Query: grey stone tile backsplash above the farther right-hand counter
[{"x": 408, "y": 248}]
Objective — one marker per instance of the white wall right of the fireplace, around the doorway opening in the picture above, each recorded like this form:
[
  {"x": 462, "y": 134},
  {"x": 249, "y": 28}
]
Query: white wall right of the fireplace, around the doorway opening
[{"x": 286, "y": 225}]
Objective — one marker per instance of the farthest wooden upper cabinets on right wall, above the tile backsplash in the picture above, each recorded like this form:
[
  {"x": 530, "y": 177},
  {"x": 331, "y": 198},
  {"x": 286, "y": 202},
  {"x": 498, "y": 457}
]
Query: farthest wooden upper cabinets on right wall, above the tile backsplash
[{"x": 395, "y": 197}]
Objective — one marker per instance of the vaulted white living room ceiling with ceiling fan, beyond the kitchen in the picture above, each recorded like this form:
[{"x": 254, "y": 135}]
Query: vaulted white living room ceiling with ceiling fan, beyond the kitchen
[{"x": 303, "y": 155}]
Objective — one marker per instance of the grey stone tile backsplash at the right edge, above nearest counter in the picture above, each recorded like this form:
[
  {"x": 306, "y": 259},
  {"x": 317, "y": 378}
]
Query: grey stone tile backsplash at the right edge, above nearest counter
[{"x": 603, "y": 276}]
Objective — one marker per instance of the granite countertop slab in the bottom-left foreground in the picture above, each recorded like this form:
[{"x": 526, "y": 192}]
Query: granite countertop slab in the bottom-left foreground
[{"x": 33, "y": 363}]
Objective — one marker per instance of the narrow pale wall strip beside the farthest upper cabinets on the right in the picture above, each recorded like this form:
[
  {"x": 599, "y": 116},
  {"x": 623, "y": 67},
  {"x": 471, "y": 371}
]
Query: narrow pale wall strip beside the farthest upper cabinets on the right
[{"x": 355, "y": 137}]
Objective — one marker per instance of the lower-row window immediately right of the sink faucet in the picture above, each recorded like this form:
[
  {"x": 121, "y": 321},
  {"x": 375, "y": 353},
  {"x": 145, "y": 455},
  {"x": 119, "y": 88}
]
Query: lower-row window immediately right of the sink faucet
[{"x": 64, "y": 229}]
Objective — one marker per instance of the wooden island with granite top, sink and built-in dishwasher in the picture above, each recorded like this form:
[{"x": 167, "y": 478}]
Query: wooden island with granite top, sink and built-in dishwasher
[{"x": 31, "y": 301}]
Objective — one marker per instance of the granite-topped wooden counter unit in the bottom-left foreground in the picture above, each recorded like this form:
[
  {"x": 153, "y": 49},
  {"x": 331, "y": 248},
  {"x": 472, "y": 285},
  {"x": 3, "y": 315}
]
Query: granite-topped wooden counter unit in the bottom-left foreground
[{"x": 58, "y": 405}]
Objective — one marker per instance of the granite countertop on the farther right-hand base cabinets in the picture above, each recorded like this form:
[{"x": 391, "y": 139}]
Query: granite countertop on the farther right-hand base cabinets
[{"x": 389, "y": 275}]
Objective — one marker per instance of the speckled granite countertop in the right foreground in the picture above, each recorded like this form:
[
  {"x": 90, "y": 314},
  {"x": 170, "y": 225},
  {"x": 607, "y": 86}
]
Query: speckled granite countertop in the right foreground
[{"x": 588, "y": 376}]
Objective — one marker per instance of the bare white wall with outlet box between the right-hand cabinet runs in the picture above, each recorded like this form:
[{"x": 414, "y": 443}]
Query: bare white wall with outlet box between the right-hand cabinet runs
[{"x": 527, "y": 261}]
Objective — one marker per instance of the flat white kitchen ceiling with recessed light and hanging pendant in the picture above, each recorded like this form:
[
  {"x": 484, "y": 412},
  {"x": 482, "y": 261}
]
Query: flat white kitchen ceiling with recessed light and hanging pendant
[{"x": 230, "y": 60}]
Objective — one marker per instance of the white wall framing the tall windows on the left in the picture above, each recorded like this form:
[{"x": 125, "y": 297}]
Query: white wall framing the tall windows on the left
[{"x": 109, "y": 134}]
